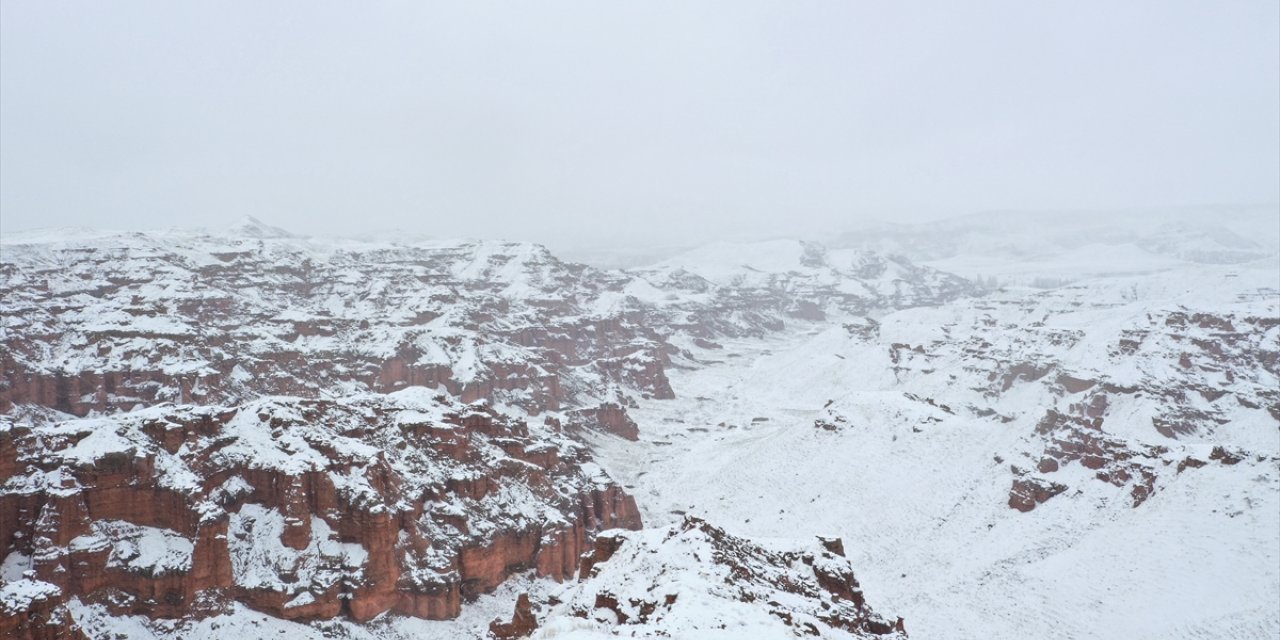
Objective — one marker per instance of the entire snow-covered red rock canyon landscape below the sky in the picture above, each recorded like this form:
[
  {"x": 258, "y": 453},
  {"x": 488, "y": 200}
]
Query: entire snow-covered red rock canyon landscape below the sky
[{"x": 976, "y": 429}]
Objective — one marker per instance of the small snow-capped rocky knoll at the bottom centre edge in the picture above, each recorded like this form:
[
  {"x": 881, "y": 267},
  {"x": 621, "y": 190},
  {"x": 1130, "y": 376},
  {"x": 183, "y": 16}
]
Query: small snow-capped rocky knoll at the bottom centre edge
[{"x": 696, "y": 580}]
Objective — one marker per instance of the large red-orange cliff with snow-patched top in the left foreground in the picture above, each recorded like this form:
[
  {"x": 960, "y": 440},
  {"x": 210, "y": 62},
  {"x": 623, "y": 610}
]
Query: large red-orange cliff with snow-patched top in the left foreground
[{"x": 301, "y": 509}]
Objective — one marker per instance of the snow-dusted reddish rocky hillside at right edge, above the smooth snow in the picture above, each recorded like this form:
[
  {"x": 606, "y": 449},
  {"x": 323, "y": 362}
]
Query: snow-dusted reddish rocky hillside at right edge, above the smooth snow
[{"x": 1119, "y": 383}]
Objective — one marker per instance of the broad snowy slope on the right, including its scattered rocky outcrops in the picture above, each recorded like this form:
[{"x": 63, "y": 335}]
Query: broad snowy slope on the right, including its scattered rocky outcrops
[{"x": 1142, "y": 410}]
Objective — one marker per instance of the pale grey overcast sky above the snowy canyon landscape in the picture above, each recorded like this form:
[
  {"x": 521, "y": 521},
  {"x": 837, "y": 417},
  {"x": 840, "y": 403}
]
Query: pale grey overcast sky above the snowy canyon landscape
[{"x": 628, "y": 124}]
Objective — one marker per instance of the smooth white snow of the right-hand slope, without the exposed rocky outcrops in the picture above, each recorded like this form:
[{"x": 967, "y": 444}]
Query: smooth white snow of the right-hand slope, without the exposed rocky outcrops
[{"x": 921, "y": 496}]
